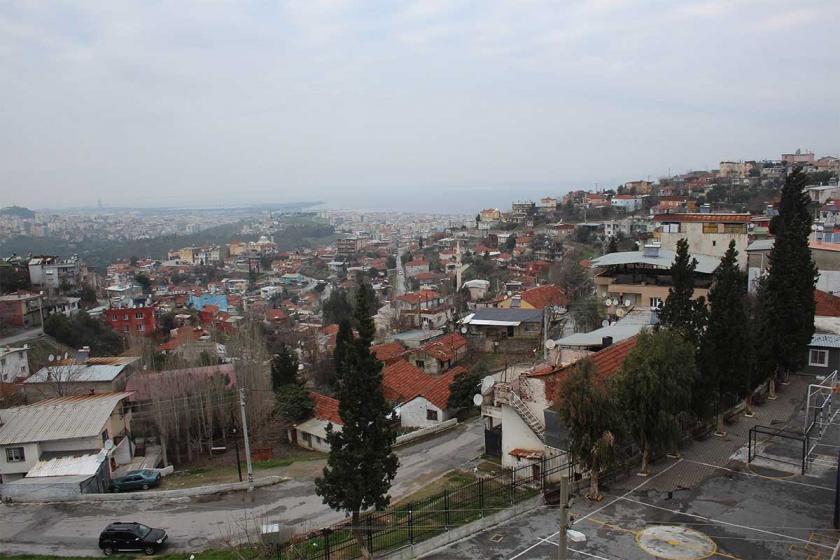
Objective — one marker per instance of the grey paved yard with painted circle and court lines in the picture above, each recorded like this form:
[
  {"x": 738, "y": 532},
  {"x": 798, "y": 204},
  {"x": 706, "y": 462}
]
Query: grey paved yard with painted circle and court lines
[{"x": 709, "y": 503}]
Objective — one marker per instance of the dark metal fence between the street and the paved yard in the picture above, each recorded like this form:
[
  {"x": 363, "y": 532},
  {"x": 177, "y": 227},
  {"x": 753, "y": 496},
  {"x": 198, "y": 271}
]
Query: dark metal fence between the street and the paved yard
[{"x": 408, "y": 523}]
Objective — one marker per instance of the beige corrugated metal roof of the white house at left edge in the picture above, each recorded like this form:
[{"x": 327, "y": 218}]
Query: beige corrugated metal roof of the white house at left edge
[{"x": 58, "y": 418}]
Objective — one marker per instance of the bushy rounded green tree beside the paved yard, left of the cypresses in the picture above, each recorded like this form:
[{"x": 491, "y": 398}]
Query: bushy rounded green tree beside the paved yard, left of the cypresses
[{"x": 654, "y": 389}]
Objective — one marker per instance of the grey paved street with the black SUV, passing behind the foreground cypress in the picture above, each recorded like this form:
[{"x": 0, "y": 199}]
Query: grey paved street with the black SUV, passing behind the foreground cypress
[{"x": 73, "y": 529}]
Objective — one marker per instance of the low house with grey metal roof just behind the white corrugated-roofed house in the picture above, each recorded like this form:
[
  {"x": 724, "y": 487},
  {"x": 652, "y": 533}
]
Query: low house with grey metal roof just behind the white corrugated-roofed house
[{"x": 80, "y": 376}]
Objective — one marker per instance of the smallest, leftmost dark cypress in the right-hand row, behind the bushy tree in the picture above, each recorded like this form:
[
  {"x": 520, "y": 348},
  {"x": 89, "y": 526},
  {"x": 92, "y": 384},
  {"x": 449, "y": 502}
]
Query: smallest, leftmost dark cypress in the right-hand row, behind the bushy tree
[{"x": 681, "y": 312}]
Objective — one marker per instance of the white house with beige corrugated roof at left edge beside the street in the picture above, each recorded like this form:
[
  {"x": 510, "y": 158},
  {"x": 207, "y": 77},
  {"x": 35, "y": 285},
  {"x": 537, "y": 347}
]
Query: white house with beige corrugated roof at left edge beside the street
[{"x": 67, "y": 426}]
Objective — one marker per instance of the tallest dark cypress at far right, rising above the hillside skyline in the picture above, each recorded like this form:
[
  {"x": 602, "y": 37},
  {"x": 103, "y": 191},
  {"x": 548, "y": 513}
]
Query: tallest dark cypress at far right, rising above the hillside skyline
[{"x": 786, "y": 304}]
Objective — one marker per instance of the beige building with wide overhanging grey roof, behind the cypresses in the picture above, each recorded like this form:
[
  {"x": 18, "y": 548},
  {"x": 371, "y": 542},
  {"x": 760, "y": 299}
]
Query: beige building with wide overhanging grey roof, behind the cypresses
[{"x": 642, "y": 278}]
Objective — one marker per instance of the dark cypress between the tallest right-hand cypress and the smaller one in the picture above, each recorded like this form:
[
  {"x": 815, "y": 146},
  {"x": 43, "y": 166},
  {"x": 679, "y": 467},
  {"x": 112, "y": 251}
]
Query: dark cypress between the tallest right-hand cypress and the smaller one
[{"x": 724, "y": 357}]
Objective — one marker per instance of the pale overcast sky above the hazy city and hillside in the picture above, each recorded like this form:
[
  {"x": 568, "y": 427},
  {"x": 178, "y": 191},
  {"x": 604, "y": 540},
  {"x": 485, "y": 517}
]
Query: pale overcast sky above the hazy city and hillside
[{"x": 436, "y": 106}]
